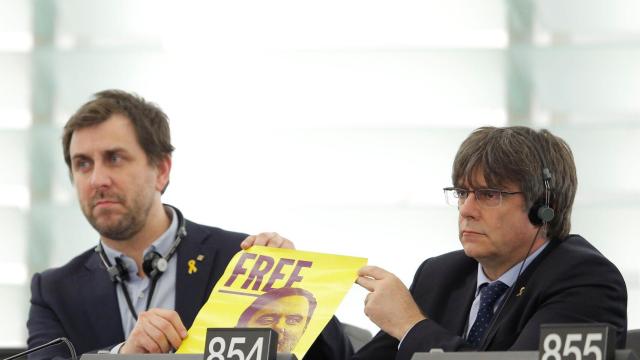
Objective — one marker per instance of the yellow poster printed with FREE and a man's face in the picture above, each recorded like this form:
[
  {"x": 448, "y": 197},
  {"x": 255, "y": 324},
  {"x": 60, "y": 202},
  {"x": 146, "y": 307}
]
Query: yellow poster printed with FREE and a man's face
[{"x": 293, "y": 292}]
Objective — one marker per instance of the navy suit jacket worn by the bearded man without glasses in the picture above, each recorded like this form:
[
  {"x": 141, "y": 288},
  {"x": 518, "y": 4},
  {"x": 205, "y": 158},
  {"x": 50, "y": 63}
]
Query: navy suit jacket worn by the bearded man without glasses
[{"x": 79, "y": 301}]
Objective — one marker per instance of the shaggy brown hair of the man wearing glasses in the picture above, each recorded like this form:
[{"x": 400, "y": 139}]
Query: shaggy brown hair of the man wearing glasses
[{"x": 512, "y": 155}]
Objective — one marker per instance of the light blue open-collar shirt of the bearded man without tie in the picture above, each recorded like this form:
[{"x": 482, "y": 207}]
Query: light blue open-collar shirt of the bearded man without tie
[{"x": 164, "y": 295}]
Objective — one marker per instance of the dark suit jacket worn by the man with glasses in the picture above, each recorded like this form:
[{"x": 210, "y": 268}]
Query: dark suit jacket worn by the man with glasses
[{"x": 569, "y": 282}]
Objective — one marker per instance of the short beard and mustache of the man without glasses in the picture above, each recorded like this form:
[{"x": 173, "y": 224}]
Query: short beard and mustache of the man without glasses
[{"x": 116, "y": 225}]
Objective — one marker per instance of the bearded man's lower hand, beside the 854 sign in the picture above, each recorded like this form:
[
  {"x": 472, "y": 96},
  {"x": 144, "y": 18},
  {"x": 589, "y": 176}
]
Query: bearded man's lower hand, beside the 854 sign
[{"x": 156, "y": 331}]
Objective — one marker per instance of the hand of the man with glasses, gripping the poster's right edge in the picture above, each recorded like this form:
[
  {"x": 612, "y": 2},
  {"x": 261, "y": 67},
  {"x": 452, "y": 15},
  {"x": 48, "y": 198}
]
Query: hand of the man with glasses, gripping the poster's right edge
[{"x": 389, "y": 303}]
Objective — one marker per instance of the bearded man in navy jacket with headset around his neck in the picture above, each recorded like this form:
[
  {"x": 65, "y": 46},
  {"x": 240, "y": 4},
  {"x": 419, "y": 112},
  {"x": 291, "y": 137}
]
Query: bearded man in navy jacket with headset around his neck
[{"x": 140, "y": 289}]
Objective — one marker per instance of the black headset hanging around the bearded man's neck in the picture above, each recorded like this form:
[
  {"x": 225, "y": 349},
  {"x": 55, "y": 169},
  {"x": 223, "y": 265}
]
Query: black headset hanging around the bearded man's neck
[{"x": 153, "y": 265}]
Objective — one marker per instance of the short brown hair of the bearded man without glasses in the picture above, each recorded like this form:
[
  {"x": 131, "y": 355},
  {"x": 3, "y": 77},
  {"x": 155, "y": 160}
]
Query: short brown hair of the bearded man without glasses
[{"x": 149, "y": 121}]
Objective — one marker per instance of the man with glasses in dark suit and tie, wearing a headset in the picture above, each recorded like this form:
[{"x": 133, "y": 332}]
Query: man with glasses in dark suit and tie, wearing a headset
[{"x": 519, "y": 268}]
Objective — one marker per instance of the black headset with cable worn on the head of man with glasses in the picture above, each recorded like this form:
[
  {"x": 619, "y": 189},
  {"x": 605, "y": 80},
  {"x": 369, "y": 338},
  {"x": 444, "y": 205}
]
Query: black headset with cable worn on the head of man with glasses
[{"x": 540, "y": 214}]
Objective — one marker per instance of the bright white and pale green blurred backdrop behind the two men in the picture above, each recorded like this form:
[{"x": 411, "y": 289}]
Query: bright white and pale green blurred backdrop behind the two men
[{"x": 334, "y": 123}]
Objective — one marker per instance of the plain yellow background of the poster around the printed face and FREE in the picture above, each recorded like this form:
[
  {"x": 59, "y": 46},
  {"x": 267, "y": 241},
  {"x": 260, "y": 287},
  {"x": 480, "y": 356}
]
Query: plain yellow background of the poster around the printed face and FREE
[{"x": 328, "y": 279}]
